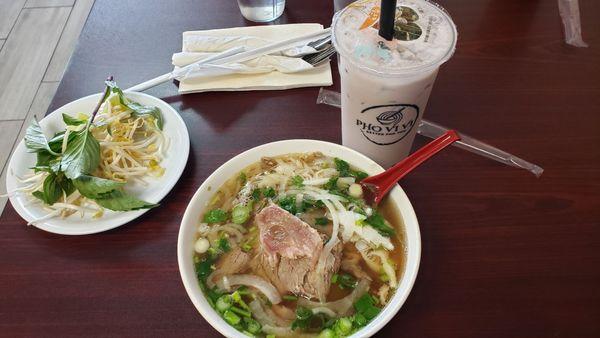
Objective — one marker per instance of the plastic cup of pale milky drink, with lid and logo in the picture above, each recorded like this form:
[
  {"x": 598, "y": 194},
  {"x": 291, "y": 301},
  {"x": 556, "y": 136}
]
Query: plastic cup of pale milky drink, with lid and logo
[{"x": 385, "y": 85}]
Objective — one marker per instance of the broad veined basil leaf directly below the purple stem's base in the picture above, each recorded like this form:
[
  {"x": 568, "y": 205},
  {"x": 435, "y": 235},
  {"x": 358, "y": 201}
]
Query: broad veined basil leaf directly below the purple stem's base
[{"x": 82, "y": 155}]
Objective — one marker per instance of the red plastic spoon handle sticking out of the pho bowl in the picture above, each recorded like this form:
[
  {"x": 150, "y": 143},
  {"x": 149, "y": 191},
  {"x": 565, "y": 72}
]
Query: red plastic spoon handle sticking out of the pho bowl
[{"x": 375, "y": 187}]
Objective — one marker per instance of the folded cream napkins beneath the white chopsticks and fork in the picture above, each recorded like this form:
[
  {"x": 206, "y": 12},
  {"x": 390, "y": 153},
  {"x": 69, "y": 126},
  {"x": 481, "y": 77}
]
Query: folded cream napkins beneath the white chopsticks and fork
[{"x": 282, "y": 70}]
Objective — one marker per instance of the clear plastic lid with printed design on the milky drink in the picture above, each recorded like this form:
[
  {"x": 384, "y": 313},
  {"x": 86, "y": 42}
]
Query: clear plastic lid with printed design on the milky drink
[{"x": 424, "y": 37}]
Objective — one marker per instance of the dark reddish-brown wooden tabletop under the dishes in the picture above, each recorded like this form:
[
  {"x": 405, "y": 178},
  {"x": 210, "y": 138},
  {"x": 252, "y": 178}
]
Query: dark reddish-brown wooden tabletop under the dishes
[{"x": 504, "y": 254}]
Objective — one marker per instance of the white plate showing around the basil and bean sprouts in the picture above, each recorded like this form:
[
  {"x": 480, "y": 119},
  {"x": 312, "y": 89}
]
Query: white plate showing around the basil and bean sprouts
[{"x": 175, "y": 160}]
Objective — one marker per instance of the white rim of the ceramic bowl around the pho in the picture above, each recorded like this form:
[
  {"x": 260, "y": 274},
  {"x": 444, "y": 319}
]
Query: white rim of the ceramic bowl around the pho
[{"x": 185, "y": 243}]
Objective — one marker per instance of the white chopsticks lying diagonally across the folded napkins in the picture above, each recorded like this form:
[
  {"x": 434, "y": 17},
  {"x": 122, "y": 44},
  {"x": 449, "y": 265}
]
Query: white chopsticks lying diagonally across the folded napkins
[{"x": 234, "y": 55}]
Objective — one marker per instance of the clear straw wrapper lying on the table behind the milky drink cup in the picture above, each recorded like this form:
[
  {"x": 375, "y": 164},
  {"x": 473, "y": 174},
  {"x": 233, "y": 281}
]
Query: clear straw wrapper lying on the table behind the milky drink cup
[{"x": 433, "y": 130}]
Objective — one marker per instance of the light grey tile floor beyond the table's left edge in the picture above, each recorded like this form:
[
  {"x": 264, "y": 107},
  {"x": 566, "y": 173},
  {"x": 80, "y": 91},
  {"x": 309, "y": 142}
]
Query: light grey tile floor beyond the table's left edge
[{"x": 37, "y": 38}]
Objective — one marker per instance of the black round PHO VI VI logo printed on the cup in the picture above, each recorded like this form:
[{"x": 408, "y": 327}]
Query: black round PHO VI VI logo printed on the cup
[{"x": 387, "y": 124}]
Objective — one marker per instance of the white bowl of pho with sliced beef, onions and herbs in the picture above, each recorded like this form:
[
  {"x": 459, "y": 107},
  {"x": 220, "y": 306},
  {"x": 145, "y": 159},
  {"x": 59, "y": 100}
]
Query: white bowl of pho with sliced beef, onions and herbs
[{"x": 279, "y": 242}]
